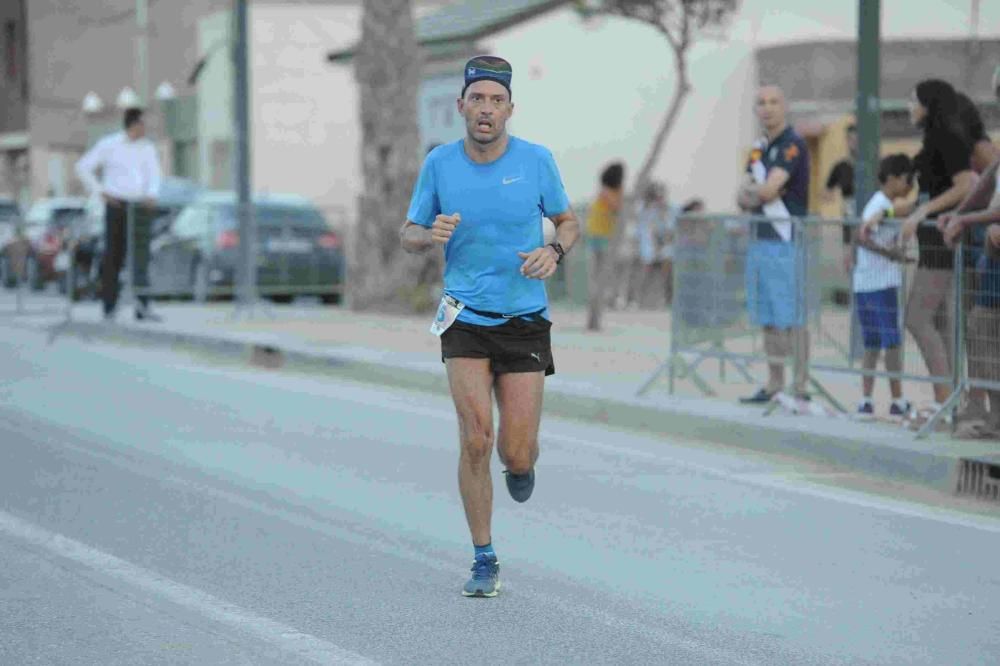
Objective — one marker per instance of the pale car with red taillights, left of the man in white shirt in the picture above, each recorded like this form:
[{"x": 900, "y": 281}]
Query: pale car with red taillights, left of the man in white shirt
[{"x": 46, "y": 226}]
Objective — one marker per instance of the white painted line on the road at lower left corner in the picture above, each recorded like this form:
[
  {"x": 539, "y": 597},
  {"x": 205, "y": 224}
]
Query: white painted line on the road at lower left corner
[{"x": 274, "y": 633}]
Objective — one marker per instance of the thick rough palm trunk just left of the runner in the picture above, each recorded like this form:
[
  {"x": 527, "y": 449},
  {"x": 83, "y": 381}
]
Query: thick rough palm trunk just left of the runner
[{"x": 387, "y": 68}]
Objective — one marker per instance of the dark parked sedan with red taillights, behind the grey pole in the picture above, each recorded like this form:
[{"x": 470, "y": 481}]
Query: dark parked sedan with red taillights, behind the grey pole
[{"x": 298, "y": 253}]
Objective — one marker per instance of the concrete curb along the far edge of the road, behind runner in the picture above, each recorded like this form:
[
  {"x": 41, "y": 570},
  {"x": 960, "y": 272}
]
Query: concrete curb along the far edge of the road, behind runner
[{"x": 882, "y": 452}]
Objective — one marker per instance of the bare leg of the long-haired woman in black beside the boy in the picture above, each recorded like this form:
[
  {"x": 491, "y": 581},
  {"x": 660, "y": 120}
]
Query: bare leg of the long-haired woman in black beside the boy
[{"x": 928, "y": 295}]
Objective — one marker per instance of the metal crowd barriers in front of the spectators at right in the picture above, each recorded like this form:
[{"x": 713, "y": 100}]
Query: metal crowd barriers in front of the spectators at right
[{"x": 720, "y": 262}]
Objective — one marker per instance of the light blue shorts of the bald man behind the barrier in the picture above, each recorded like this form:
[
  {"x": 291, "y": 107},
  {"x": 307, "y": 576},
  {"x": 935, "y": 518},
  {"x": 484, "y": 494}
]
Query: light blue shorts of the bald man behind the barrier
[{"x": 772, "y": 284}]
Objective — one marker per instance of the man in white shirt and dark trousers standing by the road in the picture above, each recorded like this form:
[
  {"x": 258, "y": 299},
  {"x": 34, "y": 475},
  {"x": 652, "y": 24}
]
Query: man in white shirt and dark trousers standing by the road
[{"x": 130, "y": 179}]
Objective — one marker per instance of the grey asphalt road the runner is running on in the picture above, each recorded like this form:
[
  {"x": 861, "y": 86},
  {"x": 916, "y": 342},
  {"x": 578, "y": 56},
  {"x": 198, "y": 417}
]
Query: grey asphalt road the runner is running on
[{"x": 159, "y": 508}]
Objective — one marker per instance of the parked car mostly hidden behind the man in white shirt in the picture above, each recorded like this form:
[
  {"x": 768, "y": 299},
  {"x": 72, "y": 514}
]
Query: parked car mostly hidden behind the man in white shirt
[{"x": 88, "y": 248}]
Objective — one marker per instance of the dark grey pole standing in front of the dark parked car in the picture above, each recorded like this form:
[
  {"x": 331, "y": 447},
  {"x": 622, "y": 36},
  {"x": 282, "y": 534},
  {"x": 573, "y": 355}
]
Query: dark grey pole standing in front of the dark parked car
[{"x": 247, "y": 286}]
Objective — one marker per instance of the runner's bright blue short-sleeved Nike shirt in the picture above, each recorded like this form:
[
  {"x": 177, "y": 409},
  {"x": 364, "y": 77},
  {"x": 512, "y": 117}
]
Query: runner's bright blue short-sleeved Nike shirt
[{"x": 501, "y": 205}]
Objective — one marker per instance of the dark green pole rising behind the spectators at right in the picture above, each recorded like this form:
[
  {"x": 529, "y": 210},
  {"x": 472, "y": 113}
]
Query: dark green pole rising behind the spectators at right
[{"x": 868, "y": 109}]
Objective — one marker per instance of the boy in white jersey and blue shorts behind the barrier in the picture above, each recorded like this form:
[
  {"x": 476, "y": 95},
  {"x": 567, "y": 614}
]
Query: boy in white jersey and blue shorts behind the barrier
[{"x": 877, "y": 279}]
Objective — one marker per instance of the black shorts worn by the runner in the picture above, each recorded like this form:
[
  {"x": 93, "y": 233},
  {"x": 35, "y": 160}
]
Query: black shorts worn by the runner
[{"x": 517, "y": 345}]
